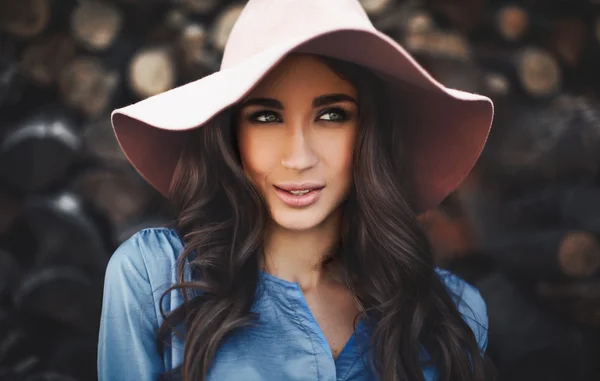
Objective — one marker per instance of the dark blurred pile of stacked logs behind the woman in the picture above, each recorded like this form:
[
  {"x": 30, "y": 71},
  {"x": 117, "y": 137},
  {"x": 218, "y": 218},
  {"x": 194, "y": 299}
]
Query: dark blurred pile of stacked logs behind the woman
[{"x": 524, "y": 227}]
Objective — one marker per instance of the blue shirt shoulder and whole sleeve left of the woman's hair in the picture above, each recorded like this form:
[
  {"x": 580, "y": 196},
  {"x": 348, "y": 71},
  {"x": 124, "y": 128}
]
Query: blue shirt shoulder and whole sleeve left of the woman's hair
[{"x": 138, "y": 273}]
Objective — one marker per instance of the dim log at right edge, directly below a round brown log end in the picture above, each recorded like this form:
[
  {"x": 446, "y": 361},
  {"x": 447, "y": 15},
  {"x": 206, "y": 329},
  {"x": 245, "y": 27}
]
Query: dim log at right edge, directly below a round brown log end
[{"x": 576, "y": 300}]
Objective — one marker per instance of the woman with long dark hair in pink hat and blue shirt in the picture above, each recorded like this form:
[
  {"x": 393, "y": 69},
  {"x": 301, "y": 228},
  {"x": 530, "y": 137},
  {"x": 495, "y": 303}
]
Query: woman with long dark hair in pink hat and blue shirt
[{"x": 297, "y": 254}]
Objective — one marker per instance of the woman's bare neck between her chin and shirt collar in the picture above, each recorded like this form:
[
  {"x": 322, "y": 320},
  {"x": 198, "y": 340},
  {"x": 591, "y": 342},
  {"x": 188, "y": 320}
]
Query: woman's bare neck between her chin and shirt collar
[{"x": 298, "y": 256}]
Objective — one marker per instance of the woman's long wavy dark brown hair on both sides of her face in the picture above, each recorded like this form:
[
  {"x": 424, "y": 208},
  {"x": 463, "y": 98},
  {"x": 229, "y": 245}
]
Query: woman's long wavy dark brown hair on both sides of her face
[{"x": 385, "y": 255}]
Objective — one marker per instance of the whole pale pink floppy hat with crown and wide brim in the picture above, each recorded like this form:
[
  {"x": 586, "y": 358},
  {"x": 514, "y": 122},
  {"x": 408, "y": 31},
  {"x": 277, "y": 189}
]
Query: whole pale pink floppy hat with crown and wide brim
[{"x": 448, "y": 127}]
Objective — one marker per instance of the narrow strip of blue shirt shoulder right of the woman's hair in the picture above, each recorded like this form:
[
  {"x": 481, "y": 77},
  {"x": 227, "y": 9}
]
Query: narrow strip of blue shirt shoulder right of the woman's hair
[{"x": 470, "y": 304}]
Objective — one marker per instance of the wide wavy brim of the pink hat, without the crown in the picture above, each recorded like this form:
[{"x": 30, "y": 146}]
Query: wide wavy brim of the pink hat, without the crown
[{"x": 446, "y": 129}]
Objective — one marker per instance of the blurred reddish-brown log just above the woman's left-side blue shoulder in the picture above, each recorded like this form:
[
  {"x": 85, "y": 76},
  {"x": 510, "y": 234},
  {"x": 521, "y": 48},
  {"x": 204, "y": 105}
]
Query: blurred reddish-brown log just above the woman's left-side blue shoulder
[{"x": 120, "y": 194}]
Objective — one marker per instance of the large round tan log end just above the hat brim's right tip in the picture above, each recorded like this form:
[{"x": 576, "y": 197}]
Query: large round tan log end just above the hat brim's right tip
[{"x": 539, "y": 72}]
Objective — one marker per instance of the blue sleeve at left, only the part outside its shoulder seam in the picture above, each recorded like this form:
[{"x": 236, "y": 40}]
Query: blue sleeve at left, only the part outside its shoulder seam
[{"x": 127, "y": 340}]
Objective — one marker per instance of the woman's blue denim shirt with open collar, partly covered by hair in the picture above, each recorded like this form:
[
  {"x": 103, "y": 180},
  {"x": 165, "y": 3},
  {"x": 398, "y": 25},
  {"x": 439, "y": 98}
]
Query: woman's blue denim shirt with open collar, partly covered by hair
[{"x": 287, "y": 344}]
